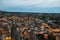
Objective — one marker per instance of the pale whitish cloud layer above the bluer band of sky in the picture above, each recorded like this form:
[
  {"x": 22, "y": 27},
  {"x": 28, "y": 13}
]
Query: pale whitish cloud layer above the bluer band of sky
[{"x": 37, "y": 3}]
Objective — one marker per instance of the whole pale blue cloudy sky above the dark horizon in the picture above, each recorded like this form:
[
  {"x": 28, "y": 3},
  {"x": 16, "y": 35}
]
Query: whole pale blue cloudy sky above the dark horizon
[{"x": 42, "y": 6}]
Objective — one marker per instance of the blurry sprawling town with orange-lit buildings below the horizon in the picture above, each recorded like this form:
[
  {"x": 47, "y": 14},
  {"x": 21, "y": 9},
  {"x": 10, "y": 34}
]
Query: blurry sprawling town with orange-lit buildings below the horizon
[{"x": 29, "y": 26}]
